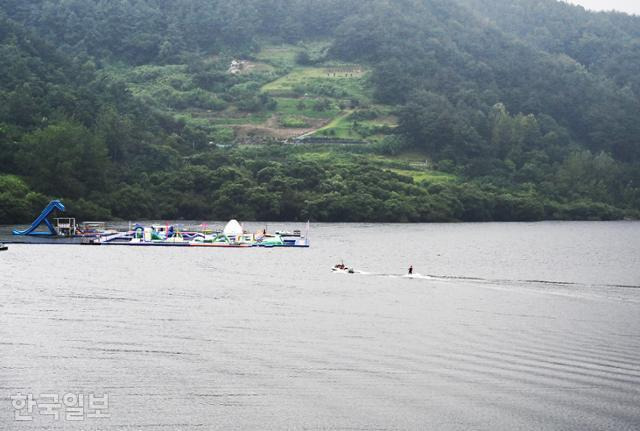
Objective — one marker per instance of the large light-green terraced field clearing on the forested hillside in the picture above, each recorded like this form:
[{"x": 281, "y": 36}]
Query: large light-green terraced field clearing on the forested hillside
[{"x": 270, "y": 96}]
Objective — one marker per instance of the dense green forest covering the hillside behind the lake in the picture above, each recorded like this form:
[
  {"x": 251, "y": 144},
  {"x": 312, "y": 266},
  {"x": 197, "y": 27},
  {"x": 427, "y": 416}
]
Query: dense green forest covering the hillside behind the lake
[{"x": 517, "y": 110}]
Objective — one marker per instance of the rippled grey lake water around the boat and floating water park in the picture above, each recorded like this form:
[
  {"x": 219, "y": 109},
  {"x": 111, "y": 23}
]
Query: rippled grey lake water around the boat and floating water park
[{"x": 512, "y": 326}]
